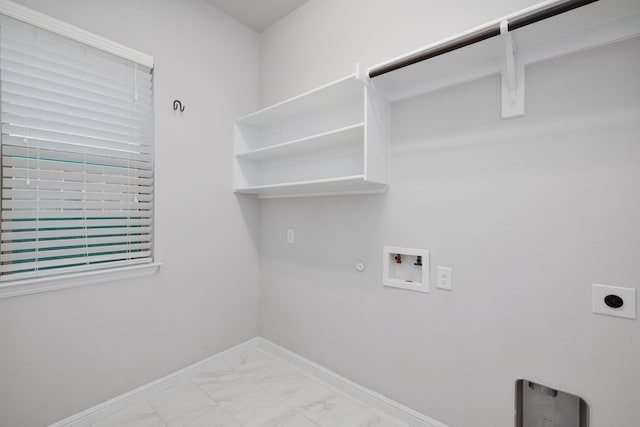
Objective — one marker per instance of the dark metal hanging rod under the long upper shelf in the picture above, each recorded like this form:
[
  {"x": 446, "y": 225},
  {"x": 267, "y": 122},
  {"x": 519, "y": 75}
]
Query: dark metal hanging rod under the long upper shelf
[{"x": 481, "y": 34}]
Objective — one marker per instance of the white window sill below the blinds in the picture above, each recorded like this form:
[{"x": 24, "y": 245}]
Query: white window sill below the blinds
[{"x": 46, "y": 284}]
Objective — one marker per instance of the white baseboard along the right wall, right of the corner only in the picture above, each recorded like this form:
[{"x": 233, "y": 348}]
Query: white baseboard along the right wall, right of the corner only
[{"x": 376, "y": 400}]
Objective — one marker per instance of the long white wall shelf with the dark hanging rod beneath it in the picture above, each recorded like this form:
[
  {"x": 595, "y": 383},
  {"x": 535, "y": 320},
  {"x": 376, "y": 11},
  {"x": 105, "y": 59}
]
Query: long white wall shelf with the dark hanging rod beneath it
[{"x": 592, "y": 25}]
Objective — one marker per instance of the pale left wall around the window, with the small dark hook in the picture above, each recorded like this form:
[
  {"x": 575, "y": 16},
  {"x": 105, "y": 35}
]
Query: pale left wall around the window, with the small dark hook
[{"x": 62, "y": 352}]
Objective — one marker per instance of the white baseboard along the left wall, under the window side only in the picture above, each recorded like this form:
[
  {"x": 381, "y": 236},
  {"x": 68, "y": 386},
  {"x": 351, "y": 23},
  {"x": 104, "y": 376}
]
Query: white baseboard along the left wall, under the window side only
[{"x": 95, "y": 413}]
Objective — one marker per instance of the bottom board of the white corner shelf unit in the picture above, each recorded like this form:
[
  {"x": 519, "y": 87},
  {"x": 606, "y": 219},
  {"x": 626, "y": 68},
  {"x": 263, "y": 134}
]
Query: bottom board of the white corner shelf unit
[{"x": 323, "y": 187}]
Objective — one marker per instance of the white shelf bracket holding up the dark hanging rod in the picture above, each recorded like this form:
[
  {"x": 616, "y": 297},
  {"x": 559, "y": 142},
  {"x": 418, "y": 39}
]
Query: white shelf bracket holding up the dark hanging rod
[{"x": 512, "y": 77}]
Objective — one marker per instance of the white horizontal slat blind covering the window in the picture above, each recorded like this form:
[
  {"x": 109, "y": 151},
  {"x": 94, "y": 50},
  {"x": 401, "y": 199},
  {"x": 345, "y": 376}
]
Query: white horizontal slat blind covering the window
[{"x": 77, "y": 156}]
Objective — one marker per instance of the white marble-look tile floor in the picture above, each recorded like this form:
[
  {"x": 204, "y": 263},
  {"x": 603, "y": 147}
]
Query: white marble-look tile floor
[{"x": 256, "y": 389}]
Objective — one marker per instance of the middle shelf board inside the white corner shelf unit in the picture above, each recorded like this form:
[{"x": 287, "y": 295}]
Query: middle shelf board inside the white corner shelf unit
[{"x": 322, "y": 141}]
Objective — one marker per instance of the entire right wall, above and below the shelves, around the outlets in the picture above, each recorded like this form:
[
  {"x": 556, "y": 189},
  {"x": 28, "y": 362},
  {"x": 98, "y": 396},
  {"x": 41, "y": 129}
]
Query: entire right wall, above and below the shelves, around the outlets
[{"x": 528, "y": 212}]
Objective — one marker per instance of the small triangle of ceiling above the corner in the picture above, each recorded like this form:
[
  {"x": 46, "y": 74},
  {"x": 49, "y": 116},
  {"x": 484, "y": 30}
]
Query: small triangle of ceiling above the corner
[{"x": 257, "y": 14}]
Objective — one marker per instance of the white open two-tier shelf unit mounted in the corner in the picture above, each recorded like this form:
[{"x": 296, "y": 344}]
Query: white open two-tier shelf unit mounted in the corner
[{"x": 318, "y": 143}]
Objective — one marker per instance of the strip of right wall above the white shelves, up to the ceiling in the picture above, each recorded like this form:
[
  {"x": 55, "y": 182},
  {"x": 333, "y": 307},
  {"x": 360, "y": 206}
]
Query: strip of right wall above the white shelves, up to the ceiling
[{"x": 322, "y": 40}]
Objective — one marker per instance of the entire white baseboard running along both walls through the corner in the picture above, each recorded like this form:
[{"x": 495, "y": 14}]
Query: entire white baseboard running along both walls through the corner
[{"x": 376, "y": 400}]
